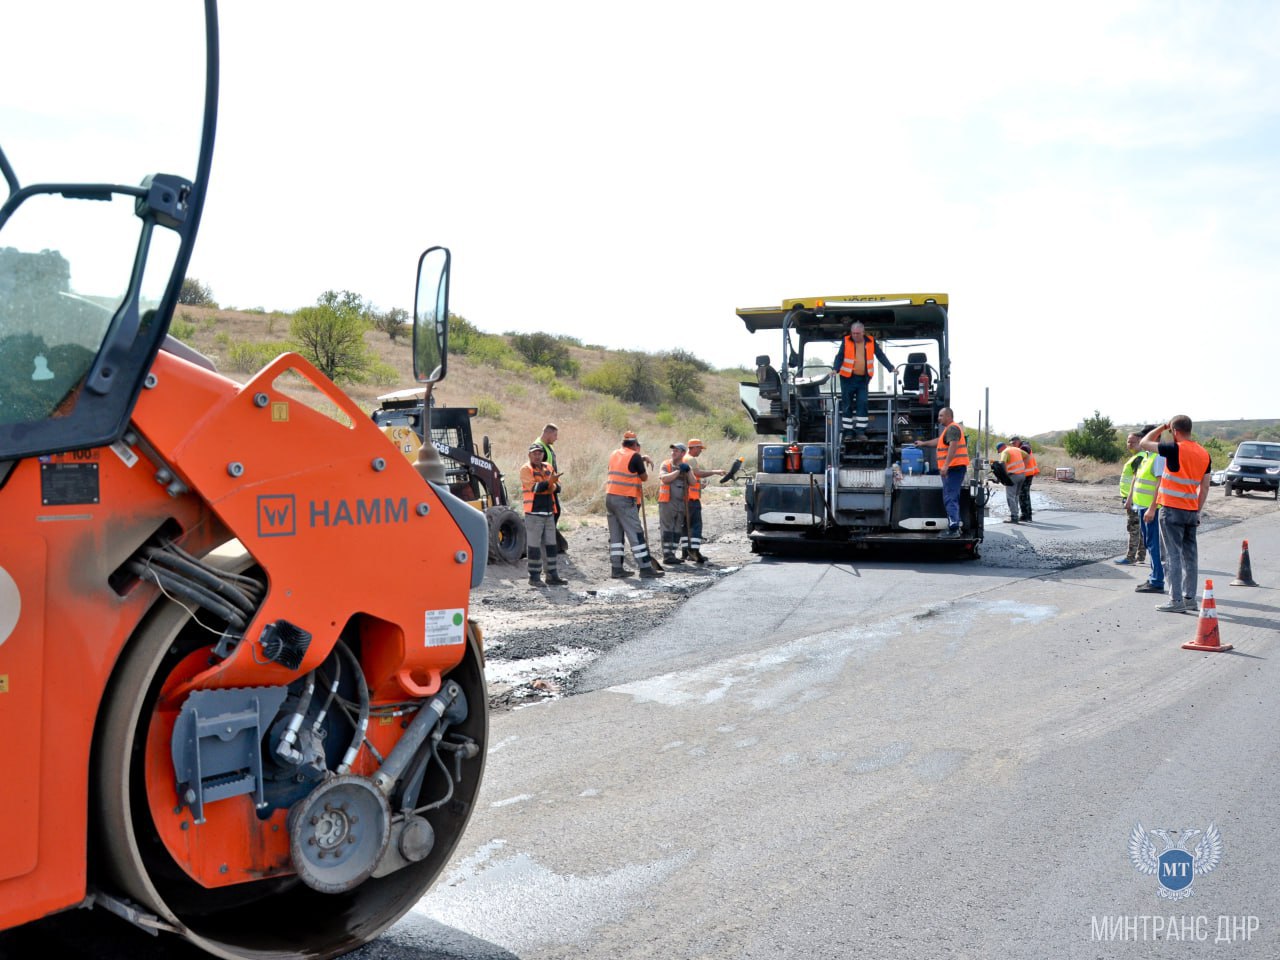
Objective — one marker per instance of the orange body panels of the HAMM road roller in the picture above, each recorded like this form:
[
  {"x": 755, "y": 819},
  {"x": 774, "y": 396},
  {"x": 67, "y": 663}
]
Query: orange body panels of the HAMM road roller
[{"x": 340, "y": 529}]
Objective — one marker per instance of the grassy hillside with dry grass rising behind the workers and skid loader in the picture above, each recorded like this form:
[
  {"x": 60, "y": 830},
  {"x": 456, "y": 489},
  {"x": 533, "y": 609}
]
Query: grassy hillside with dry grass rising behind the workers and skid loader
[{"x": 515, "y": 400}]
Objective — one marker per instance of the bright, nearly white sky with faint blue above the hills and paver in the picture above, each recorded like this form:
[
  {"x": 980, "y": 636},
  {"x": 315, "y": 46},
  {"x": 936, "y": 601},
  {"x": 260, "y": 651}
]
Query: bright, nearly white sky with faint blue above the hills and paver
[{"x": 1094, "y": 185}]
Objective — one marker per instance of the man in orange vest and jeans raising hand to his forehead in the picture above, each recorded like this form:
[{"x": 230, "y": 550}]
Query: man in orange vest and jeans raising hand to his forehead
[{"x": 1183, "y": 491}]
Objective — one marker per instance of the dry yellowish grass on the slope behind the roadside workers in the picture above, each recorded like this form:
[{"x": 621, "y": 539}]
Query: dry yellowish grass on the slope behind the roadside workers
[{"x": 519, "y": 406}]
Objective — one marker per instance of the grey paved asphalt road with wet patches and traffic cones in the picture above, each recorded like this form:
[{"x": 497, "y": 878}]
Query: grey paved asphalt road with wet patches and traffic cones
[{"x": 870, "y": 760}]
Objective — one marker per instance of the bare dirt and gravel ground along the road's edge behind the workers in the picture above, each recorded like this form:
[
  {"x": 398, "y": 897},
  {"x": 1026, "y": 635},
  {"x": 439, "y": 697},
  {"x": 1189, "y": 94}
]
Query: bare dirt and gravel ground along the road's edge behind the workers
[{"x": 538, "y": 638}]
